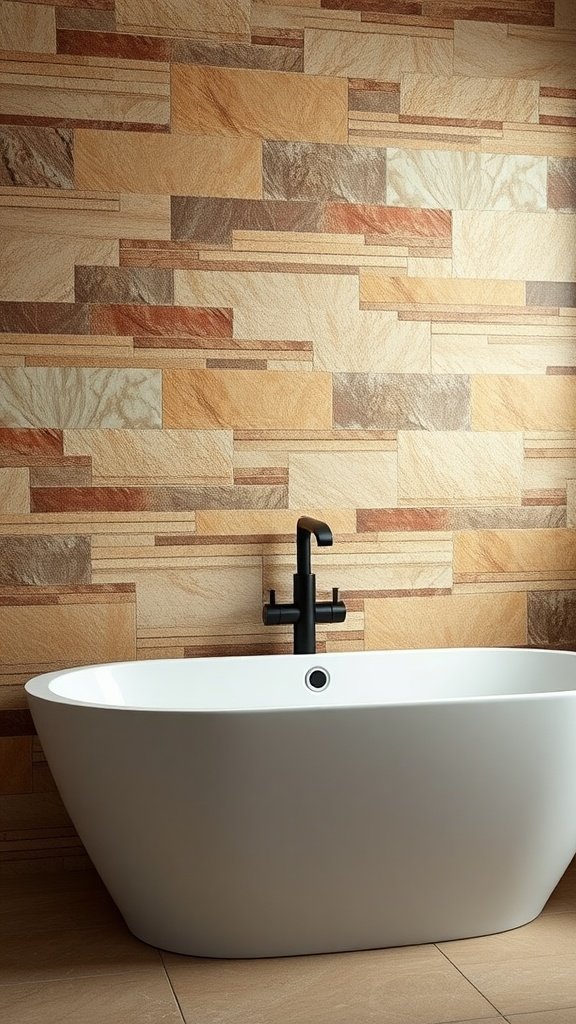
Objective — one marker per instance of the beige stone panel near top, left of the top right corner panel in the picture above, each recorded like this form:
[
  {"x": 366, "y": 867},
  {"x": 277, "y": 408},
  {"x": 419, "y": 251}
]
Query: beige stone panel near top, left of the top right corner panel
[{"x": 376, "y": 55}]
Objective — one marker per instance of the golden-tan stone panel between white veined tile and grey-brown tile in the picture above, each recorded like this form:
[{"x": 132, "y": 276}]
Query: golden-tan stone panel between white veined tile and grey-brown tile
[{"x": 244, "y": 399}]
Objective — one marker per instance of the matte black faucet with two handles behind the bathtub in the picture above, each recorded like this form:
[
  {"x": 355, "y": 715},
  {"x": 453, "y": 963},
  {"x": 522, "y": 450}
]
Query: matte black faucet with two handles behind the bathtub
[{"x": 306, "y": 612}]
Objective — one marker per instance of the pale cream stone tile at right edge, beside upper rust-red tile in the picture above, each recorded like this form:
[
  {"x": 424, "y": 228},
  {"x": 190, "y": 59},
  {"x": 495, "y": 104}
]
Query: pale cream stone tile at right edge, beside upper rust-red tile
[{"x": 512, "y": 246}]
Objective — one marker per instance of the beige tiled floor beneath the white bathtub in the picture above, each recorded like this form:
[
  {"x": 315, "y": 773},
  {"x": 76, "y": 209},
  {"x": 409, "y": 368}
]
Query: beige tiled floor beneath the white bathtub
[{"x": 67, "y": 958}]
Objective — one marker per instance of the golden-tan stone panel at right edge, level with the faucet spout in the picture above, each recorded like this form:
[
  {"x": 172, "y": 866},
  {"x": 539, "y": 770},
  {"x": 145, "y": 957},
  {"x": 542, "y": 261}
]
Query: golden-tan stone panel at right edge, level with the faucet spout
[{"x": 513, "y": 551}]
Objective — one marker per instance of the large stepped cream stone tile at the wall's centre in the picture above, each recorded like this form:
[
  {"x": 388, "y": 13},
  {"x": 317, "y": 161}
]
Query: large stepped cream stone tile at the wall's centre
[{"x": 323, "y": 309}]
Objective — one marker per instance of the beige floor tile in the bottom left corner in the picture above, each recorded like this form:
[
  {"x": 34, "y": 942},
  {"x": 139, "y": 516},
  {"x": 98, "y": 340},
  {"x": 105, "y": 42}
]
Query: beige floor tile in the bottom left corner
[{"x": 124, "y": 999}]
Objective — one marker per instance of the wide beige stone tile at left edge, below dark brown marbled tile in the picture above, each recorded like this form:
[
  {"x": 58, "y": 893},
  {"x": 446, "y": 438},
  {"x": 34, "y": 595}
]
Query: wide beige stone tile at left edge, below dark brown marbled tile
[{"x": 132, "y": 217}]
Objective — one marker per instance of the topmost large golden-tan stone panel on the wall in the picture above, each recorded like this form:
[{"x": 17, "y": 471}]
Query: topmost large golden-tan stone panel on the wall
[{"x": 143, "y": 162}]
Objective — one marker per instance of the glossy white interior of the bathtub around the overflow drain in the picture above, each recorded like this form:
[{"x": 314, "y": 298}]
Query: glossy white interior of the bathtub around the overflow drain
[{"x": 277, "y": 682}]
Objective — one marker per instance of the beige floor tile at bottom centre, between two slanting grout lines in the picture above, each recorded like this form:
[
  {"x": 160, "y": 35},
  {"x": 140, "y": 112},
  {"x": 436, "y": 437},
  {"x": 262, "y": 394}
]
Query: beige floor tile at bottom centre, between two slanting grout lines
[{"x": 404, "y": 987}]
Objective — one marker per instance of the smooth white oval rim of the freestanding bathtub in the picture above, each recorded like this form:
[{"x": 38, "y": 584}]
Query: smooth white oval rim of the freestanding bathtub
[{"x": 39, "y": 687}]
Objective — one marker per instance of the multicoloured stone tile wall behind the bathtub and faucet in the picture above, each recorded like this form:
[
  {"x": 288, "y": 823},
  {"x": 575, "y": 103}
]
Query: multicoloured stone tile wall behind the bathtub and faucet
[{"x": 267, "y": 259}]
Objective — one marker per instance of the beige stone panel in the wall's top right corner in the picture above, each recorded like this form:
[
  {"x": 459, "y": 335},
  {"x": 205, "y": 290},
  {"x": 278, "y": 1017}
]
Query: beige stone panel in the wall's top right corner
[{"x": 488, "y": 51}]
